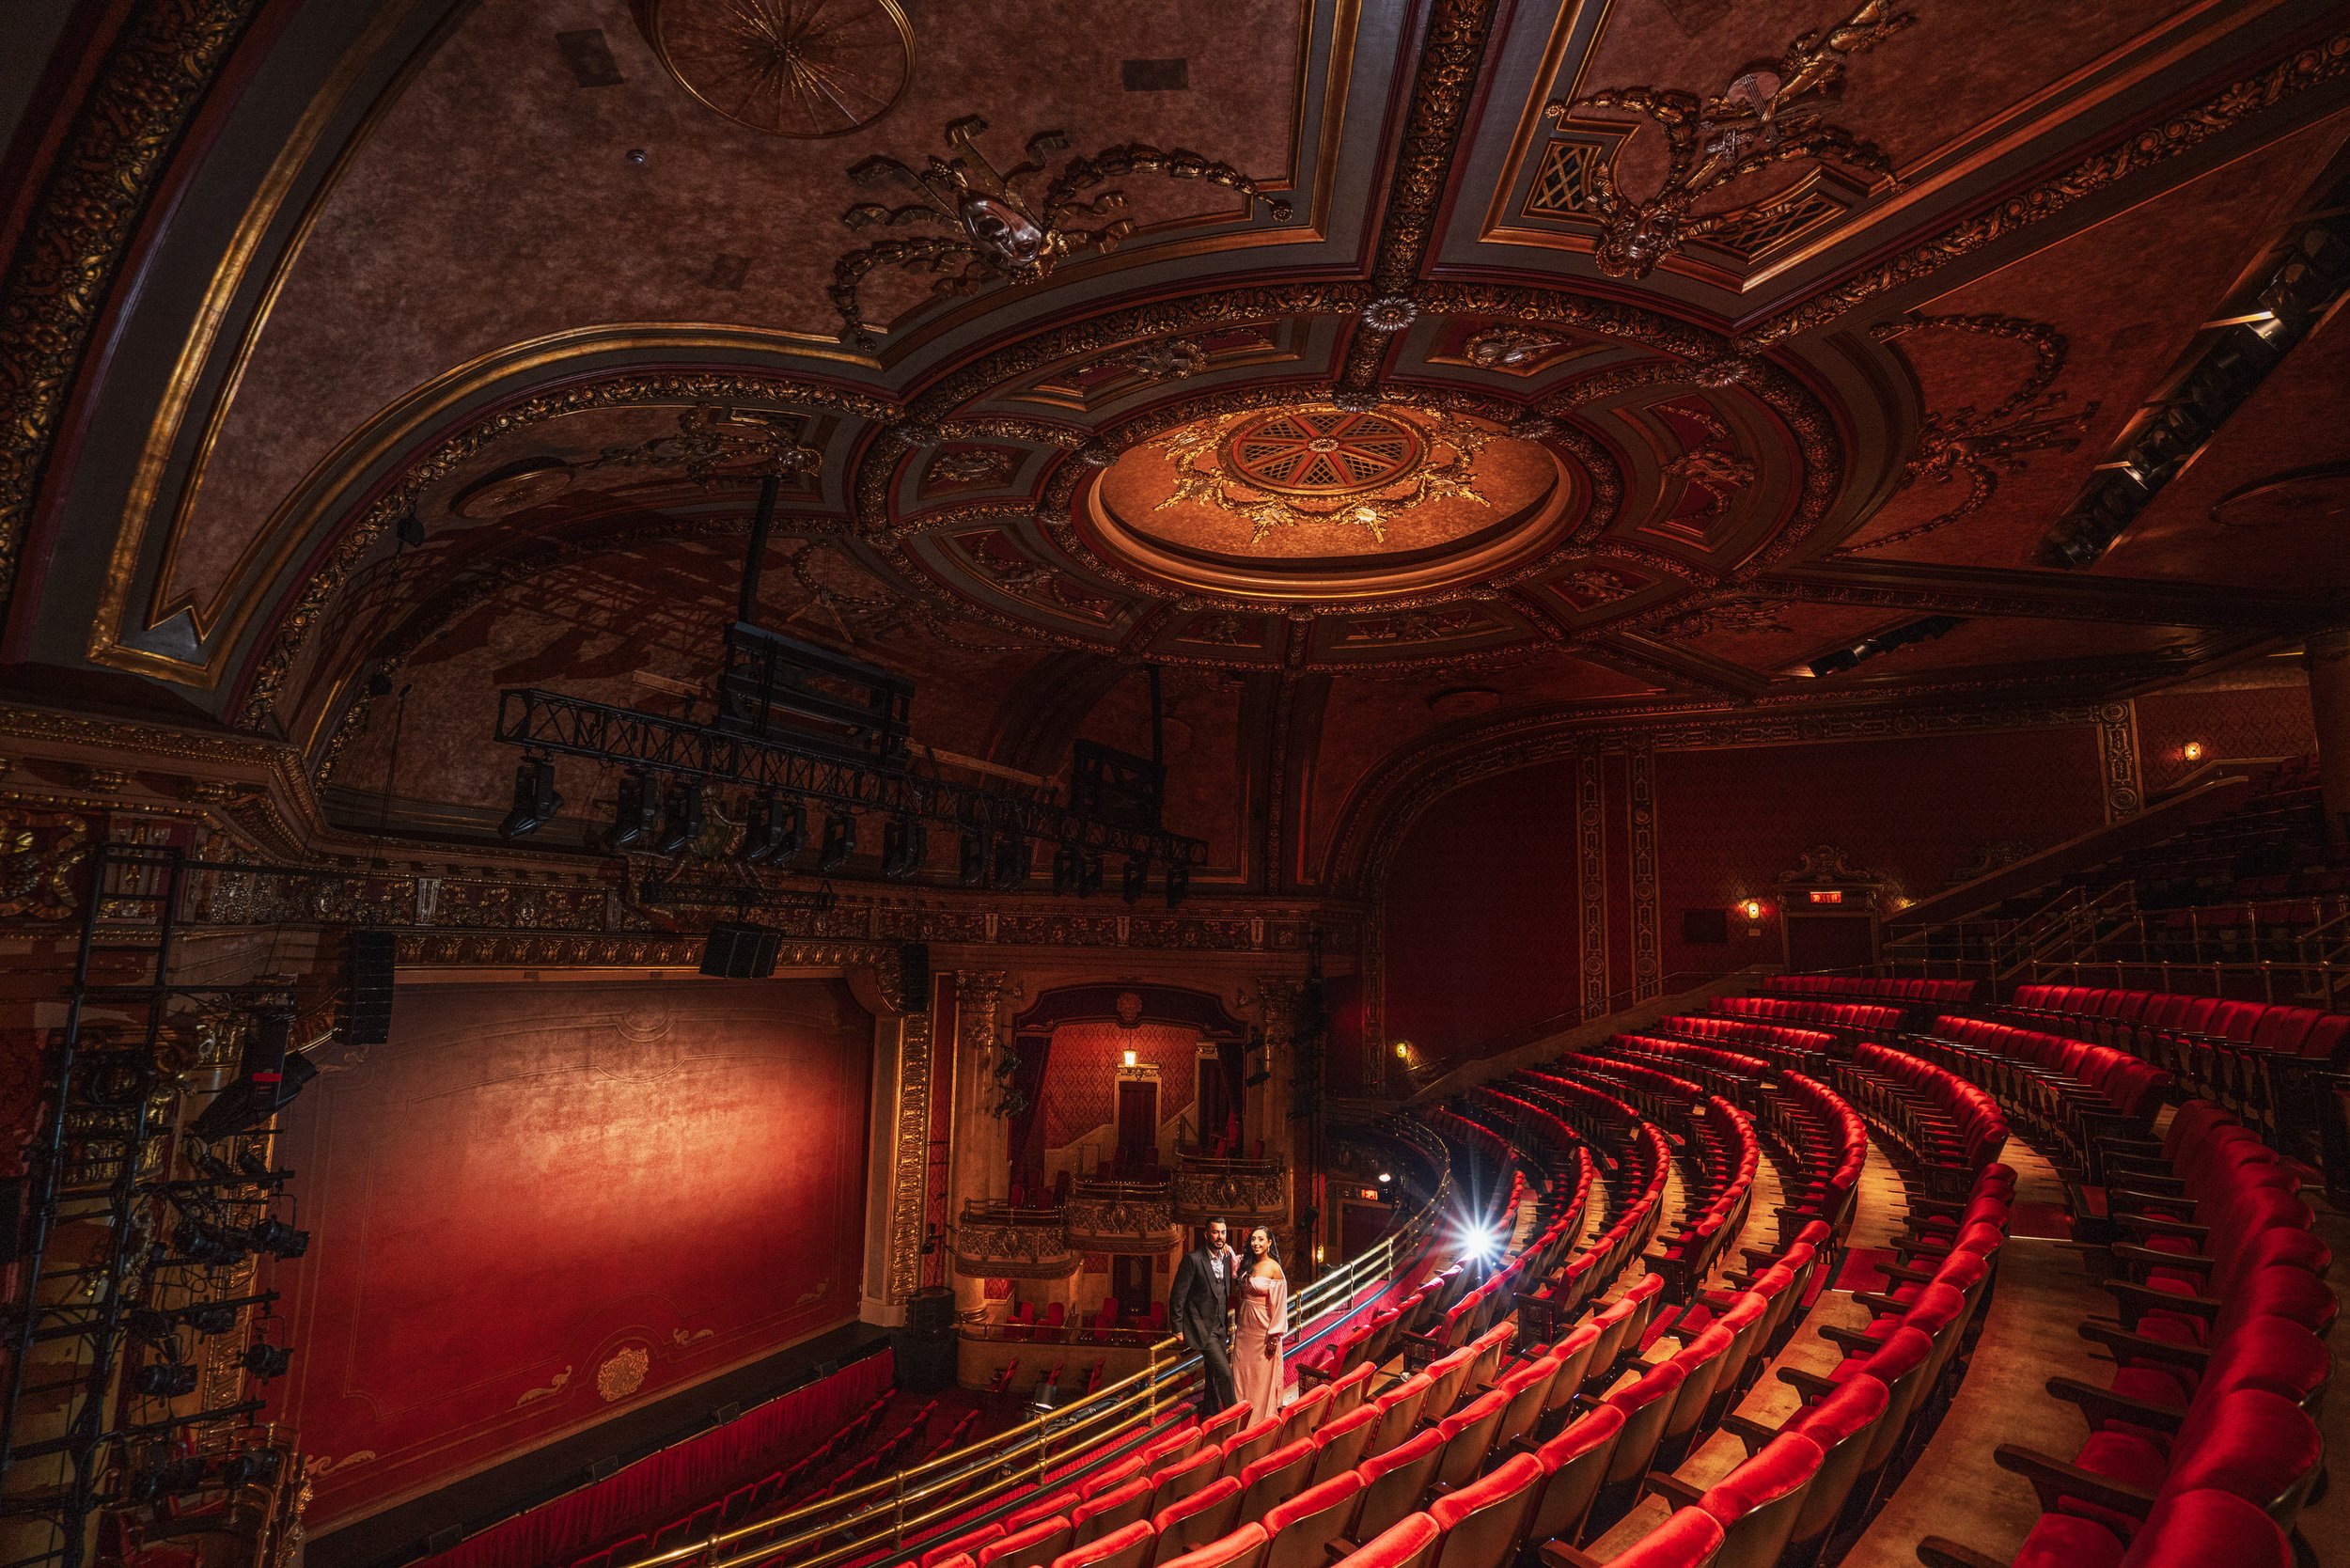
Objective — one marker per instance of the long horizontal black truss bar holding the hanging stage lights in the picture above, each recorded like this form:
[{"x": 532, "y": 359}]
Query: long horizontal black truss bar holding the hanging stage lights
[{"x": 577, "y": 728}]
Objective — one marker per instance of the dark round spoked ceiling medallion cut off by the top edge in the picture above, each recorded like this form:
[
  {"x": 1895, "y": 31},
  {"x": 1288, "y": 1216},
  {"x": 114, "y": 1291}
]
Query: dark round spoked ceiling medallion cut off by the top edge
[{"x": 805, "y": 69}]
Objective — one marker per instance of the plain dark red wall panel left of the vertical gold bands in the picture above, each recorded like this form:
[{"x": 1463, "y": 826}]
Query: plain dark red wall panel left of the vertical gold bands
[{"x": 1482, "y": 913}]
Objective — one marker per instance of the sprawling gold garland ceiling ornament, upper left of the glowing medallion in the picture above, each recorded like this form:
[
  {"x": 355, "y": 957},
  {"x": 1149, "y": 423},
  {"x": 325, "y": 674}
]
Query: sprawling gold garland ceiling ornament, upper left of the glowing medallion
[{"x": 1007, "y": 225}]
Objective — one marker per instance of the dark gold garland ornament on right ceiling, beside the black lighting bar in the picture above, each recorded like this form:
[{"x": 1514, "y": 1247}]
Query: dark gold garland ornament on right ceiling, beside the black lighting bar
[{"x": 1980, "y": 445}]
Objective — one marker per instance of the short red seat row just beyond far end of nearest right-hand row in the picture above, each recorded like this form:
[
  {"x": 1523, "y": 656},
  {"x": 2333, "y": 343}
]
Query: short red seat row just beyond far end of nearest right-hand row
[{"x": 2067, "y": 1090}]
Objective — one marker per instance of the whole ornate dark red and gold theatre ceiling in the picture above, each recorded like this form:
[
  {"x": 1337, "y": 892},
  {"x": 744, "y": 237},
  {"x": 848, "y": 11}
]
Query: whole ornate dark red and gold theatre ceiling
[{"x": 1383, "y": 373}]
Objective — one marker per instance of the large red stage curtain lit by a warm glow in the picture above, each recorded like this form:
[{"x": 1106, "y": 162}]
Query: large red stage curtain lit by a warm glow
[{"x": 537, "y": 1179}]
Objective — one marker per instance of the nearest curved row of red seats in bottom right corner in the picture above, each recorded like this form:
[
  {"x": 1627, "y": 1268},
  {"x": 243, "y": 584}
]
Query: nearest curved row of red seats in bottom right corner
[{"x": 2203, "y": 1447}]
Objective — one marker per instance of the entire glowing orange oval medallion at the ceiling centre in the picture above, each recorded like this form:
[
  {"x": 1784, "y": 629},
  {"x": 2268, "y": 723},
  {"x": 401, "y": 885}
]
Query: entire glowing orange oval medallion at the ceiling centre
[{"x": 1320, "y": 504}]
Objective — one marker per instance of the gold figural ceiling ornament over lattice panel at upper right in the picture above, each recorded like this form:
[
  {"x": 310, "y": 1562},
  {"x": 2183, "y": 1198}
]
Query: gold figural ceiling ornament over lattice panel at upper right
[{"x": 1773, "y": 112}]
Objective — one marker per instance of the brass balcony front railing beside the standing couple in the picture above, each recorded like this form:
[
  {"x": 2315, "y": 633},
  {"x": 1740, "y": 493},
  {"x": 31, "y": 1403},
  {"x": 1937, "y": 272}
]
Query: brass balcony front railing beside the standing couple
[{"x": 889, "y": 1513}]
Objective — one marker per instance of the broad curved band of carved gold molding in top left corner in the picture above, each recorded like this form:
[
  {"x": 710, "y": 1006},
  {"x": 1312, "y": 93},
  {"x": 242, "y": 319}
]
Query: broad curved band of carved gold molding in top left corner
[{"x": 156, "y": 76}]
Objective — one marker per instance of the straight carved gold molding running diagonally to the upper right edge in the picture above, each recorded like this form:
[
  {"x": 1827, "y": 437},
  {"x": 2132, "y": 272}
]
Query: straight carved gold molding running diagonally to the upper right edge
[{"x": 2182, "y": 133}]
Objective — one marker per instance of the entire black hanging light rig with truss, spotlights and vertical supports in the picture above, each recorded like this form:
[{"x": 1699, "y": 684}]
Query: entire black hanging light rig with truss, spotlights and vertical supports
[{"x": 805, "y": 732}]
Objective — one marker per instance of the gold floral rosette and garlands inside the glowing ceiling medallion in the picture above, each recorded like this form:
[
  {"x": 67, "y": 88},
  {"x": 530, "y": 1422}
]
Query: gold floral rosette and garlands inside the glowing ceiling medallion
[{"x": 1322, "y": 464}]
